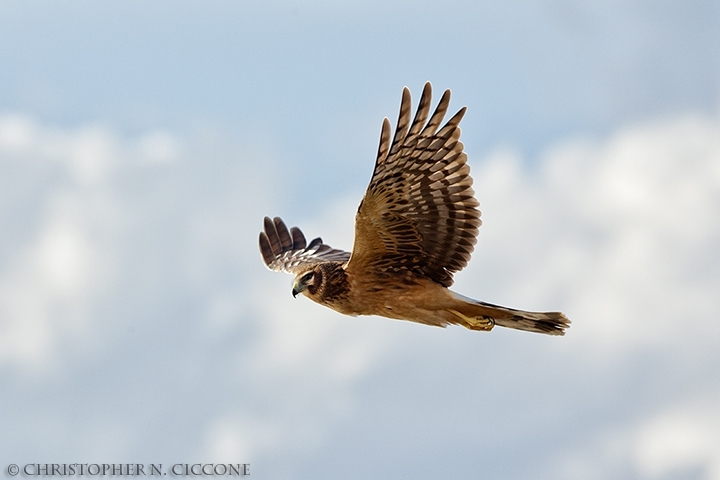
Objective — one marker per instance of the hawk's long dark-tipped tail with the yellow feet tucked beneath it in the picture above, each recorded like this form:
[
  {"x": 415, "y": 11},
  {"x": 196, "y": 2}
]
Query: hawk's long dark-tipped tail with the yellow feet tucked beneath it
[{"x": 477, "y": 315}]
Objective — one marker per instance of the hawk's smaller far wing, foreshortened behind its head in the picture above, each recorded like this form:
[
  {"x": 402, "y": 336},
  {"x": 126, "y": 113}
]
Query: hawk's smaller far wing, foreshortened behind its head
[{"x": 287, "y": 251}]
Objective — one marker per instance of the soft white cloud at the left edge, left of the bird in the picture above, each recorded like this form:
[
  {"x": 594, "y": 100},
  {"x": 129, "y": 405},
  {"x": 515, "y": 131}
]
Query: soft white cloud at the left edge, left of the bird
[{"x": 89, "y": 230}]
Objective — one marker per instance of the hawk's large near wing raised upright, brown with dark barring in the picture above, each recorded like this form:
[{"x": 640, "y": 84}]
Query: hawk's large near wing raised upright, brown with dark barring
[{"x": 419, "y": 215}]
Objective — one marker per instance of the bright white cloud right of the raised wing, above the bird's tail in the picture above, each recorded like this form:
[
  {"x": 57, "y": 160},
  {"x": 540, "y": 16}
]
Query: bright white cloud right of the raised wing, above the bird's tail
[{"x": 616, "y": 231}]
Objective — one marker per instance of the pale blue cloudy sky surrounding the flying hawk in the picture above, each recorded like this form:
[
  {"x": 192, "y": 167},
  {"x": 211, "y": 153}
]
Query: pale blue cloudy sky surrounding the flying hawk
[{"x": 141, "y": 145}]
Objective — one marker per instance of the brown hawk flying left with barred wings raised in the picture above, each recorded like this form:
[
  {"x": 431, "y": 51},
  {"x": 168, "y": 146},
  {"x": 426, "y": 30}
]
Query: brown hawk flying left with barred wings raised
[{"x": 416, "y": 226}]
